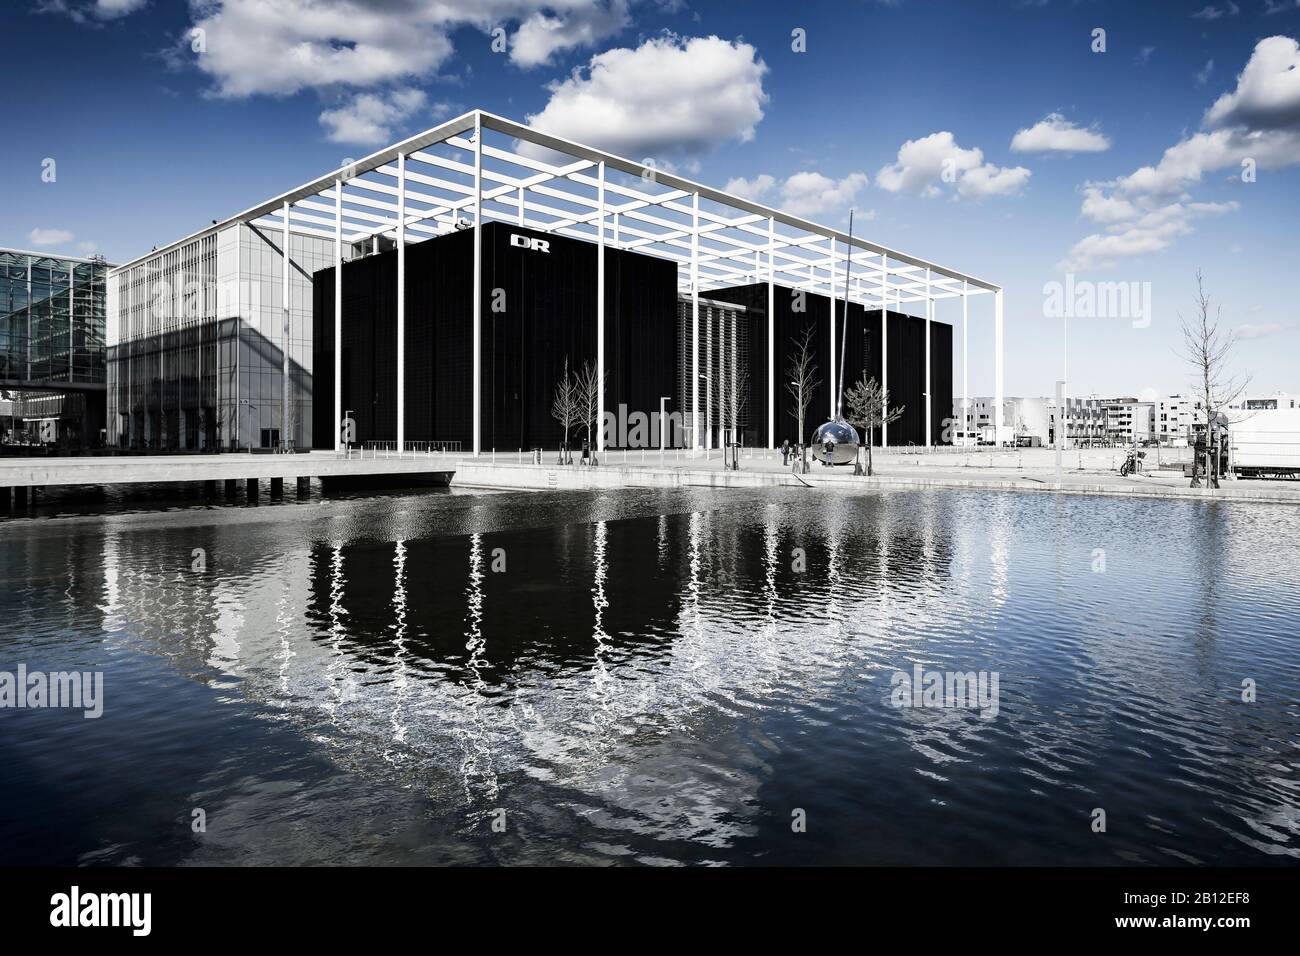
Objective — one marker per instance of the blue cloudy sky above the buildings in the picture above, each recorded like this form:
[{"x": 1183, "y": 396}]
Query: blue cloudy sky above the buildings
[{"x": 153, "y": 140}]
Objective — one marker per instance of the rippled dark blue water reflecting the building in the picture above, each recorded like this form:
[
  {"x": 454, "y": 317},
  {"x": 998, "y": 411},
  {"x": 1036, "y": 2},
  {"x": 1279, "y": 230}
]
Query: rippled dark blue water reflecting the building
[{"x": 651, "y": 681}]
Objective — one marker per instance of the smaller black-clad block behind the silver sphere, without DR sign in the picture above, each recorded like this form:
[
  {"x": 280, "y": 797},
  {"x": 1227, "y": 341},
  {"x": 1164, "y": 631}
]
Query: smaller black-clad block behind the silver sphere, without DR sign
[{"x": 799, "y": 310}]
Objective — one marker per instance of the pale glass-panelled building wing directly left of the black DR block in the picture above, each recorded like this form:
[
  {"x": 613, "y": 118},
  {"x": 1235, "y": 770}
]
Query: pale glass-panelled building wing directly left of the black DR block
[{"x": 198, "y": 347}]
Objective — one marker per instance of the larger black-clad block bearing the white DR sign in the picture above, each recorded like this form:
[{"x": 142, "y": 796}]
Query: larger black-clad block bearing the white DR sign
[{"x": 539, "y": 306}]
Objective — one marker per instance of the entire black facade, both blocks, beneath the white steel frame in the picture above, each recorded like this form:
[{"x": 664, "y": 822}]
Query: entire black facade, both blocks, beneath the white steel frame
[{"x": 539, "y": 309}]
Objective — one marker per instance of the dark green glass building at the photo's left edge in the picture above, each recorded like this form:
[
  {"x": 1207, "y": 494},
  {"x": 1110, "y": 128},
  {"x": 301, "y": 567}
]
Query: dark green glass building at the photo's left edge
[{"x": 53, "y": 353}]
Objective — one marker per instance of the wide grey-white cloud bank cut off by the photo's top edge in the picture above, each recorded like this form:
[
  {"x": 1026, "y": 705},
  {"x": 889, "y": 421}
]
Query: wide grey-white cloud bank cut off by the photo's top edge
[{"x": 280, "y": 49}]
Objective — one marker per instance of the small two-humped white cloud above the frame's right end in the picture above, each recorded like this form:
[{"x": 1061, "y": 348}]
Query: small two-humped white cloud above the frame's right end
[{"x": 925, "y": 165}]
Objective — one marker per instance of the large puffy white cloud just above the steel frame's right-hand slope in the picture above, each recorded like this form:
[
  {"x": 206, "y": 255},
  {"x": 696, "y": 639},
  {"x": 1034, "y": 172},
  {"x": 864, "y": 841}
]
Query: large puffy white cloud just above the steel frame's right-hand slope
[{"x": 670, "y": 97}]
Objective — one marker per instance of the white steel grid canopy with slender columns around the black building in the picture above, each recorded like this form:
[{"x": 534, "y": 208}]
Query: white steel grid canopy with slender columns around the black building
[{"x": 450, "y": 178}]
